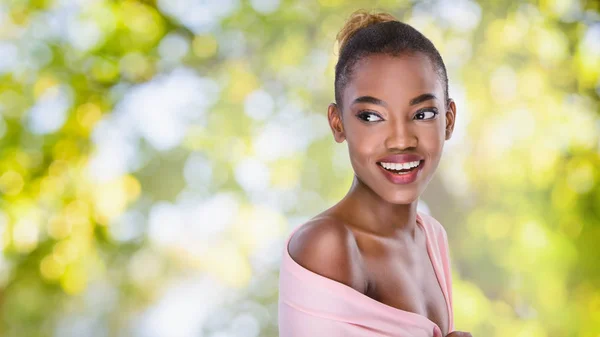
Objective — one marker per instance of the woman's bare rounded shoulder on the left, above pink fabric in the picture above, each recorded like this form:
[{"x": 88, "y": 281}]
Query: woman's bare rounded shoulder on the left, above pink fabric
[{"x": 326, "y": 246}]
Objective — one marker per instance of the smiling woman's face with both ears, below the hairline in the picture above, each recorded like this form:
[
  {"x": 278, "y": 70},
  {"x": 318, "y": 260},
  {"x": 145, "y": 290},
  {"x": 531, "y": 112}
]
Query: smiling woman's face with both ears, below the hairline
[{"x": 395, "y": 121}]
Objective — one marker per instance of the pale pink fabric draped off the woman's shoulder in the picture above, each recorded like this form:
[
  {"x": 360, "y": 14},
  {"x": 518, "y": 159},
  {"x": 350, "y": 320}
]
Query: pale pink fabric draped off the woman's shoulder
[{"x": 311, "y": 305}]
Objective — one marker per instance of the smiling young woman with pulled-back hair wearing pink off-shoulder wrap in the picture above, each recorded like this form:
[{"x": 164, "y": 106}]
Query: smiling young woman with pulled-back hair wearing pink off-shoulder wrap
[{"x": 371, "y": 265}]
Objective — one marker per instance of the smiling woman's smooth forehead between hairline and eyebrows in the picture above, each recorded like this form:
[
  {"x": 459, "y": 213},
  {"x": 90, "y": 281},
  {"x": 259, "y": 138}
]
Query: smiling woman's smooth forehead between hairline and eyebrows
[{"x": 397, "y": 78}]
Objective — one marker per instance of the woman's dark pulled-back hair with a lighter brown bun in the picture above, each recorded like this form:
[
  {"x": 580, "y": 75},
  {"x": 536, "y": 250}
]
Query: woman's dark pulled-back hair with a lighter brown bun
[{"x": 366, "y": 34}]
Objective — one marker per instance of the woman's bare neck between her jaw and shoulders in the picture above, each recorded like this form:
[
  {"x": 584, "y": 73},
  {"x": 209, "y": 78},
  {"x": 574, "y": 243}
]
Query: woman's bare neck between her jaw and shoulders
[{"x": 369, "y": 212}]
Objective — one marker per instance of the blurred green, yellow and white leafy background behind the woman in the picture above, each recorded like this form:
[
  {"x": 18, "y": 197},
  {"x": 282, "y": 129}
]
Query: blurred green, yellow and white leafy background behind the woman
[{"x": 155, "y": 154}]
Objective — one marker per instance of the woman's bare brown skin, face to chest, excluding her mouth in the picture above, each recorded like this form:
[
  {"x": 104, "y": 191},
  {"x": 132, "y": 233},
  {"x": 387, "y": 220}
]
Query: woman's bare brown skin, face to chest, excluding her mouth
[{"x": 370, "y": 240}]
